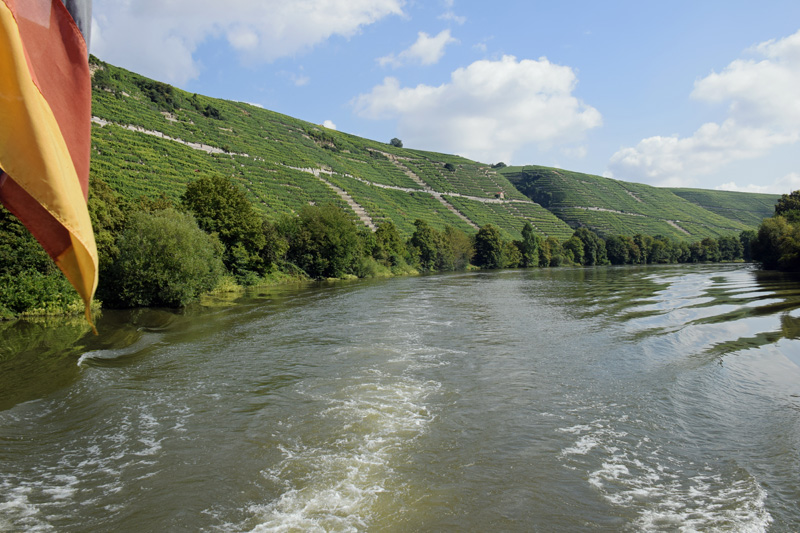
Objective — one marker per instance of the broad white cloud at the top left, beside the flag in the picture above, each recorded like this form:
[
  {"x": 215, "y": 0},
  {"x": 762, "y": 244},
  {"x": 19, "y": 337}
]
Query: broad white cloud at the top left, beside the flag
[{"x": 159, "y": 38}]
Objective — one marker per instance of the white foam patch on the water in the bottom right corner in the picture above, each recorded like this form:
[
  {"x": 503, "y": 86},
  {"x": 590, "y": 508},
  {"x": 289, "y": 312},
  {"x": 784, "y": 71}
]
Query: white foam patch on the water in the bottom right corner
[{"x": 666, "y": 493}]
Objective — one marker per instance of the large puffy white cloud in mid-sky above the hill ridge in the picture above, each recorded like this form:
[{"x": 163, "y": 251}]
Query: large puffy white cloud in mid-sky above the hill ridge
[{"x": 488, "y": 110}]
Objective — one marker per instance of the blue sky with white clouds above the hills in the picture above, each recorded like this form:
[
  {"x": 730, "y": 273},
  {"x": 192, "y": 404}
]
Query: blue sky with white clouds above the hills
[{"x": 682, "y": 93}]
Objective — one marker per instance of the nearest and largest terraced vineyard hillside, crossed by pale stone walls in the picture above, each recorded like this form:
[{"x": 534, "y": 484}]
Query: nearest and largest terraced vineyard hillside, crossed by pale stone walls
[{"x": 152, "y": 139}]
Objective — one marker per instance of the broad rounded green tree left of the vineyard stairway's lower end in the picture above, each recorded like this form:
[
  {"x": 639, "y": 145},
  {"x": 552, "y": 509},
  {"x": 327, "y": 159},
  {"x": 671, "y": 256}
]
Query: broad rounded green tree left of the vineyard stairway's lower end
[{"x": 326, "y": 243}]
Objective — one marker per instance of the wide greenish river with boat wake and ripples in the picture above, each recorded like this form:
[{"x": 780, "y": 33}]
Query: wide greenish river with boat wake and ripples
[{"x": 609, "y": 399}]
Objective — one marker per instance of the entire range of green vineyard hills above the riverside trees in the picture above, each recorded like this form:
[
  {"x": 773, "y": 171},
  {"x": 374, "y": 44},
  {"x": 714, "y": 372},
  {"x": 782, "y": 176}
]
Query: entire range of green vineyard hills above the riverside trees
[{"x": 150, "y": 139}]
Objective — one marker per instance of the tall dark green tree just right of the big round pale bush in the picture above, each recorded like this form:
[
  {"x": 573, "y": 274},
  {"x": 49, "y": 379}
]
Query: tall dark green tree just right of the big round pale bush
[{"x": 221, "y": 207}]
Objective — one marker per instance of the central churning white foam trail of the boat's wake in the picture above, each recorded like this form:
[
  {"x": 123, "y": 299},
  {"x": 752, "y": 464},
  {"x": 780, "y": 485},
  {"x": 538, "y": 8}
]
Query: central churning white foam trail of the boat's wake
[{"x": 336, "y": 485}]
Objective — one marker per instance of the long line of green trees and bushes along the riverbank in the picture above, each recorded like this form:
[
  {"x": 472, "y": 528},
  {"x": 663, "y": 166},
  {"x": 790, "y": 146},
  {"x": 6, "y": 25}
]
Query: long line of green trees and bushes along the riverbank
[{"x": 157, "y": 252}]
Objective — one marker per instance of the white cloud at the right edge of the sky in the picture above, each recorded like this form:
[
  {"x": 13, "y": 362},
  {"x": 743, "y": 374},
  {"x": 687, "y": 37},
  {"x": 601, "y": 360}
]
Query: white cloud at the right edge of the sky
[{"x": 763, "y": 113}]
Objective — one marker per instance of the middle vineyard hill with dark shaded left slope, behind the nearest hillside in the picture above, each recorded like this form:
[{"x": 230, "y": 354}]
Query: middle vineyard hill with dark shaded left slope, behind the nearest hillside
[{"x": 613, "y": 207}]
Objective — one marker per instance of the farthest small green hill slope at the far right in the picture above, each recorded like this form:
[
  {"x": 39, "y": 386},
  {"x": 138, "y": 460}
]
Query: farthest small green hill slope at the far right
[{"x": 747, "y": 208}]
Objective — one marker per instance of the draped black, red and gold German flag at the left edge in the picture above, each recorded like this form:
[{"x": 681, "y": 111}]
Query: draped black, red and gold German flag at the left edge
[{"x": 45, "y": 128}]
